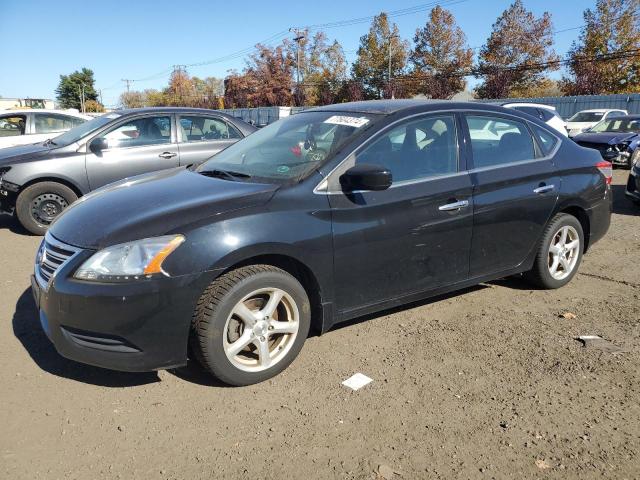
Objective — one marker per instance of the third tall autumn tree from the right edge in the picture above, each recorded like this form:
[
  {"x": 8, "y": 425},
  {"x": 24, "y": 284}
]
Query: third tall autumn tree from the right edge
[{"x": 440, "y": 57}]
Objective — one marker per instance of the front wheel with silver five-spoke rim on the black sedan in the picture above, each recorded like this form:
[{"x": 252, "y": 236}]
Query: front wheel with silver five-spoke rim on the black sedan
[{"x": 250, "y": 324}]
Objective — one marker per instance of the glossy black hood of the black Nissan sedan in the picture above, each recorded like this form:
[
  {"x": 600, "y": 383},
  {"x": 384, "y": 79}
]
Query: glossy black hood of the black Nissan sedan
[{"x": 153, "y": 204}]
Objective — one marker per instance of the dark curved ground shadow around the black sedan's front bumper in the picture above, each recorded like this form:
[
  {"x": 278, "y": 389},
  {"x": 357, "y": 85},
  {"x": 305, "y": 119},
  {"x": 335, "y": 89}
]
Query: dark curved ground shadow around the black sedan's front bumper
[{"x": 27, "y": 329}]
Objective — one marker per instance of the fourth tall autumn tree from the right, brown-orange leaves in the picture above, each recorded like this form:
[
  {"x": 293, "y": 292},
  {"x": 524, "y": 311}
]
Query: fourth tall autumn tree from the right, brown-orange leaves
[{"x": 371, "y": 67}]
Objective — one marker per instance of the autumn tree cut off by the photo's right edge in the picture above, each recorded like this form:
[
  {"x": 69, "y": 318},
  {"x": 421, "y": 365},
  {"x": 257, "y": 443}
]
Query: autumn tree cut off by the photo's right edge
[{"x": 612, "y": 28}]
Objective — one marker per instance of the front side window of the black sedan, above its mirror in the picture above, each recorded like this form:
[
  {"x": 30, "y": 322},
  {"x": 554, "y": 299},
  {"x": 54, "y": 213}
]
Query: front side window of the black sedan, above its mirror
[{"x": 417, "y": 149}]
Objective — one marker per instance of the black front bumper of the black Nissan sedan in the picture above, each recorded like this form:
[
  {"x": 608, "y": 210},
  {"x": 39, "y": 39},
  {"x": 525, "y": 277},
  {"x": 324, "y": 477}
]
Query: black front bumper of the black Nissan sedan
[{"x": 132, "y": 327}]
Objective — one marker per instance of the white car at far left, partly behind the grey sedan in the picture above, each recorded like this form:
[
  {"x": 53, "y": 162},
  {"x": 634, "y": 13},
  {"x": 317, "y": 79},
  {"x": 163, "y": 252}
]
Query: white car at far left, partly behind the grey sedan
[{"x": 21, "y": 127}]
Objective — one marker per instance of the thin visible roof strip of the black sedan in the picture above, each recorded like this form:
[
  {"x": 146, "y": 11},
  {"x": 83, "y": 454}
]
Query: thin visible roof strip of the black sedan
[{"x": 389, "y": 107}]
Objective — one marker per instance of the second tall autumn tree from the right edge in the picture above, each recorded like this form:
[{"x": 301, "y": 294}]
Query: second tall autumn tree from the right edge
[{"x": 517, "y": 54}]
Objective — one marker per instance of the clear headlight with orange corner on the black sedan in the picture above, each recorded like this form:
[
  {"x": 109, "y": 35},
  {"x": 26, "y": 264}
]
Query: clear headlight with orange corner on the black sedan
[{"x": 129, "y": 261}]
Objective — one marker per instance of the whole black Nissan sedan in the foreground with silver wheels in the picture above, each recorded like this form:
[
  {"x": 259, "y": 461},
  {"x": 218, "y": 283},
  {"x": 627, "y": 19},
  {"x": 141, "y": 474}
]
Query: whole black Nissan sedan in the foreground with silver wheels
[{"x": 236, "y": 260}]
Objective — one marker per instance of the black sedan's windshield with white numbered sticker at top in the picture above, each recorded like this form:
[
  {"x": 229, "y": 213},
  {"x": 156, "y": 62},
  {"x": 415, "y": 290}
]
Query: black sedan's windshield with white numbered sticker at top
[{"x": 289, "y": 149}]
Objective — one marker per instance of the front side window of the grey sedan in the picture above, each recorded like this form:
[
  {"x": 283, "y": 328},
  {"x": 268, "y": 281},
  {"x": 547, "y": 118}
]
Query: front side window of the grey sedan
[{"x": 140, "y": 132}]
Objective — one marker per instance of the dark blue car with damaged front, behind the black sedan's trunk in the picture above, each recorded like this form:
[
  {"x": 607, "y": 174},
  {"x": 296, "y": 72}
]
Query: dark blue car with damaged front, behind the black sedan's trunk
[{"x": 617, "y": 139}]
